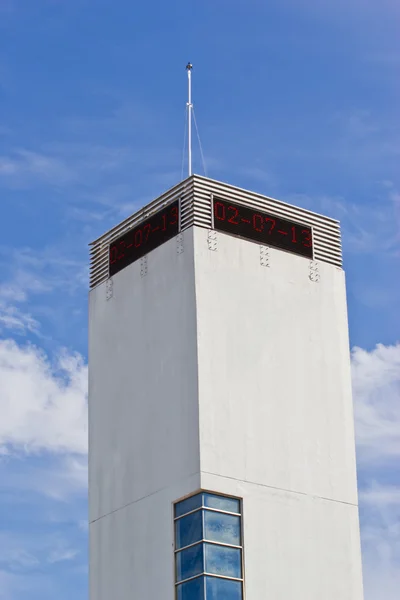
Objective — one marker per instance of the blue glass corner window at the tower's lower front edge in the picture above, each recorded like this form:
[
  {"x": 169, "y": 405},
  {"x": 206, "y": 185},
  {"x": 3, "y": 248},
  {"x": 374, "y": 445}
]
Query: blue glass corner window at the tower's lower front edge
[{"x": 208, "y": 548}]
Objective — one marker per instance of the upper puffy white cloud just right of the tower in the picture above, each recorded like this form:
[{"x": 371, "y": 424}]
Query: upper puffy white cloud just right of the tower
[{"x": 376, "y": 387}]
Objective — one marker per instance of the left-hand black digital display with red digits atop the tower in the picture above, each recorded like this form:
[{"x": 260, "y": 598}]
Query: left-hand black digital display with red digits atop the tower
[{"x": 143, "y": 238}]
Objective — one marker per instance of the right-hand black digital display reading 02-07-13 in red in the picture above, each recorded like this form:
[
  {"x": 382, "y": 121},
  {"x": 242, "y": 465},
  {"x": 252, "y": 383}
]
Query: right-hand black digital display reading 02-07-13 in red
[{"x": 261, "y": 227}]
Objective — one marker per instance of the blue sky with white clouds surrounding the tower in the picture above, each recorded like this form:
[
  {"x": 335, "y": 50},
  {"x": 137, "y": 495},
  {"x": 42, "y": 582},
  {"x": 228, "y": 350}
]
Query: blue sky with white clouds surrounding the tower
[{"x": 296, "y": 99}]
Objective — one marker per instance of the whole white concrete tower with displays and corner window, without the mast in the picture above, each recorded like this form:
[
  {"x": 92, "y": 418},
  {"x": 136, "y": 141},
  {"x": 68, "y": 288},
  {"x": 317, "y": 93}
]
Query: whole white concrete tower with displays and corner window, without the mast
[{"x": 221, "y": 441}]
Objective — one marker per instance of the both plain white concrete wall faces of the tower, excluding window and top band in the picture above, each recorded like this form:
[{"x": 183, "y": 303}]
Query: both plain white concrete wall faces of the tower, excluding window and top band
[{"x": 215, "y": 372}]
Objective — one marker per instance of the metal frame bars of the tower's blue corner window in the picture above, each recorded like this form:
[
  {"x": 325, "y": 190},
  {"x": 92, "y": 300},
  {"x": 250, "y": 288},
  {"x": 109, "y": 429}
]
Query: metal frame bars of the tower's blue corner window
[{"x": 204, "y": 574}]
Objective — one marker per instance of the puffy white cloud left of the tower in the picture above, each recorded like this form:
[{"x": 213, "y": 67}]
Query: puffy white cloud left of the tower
[{"x": 43, "y": 406}]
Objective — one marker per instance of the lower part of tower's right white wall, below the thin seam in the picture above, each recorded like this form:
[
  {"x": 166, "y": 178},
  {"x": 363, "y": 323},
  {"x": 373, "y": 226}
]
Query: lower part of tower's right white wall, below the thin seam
[{"x": 296, "y": 546}]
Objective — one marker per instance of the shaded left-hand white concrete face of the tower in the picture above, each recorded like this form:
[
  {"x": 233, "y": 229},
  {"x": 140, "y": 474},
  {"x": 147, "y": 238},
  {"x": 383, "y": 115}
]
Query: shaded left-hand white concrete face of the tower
[{"x": 143, "y": 422}]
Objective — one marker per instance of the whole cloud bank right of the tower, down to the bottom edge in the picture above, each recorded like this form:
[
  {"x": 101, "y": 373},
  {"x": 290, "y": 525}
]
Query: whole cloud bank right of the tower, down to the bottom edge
[{"x": 376, "y": 388}]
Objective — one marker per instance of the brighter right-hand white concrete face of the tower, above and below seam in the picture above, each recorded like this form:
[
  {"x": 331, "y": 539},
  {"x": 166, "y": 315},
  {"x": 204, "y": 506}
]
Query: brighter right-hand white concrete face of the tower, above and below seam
[{"x": 276, "y": 416}]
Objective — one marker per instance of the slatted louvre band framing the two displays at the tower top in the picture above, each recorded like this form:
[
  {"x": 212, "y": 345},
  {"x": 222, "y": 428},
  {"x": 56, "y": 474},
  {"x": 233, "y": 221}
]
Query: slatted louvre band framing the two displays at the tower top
[{"x": 195, "y": 194}]
